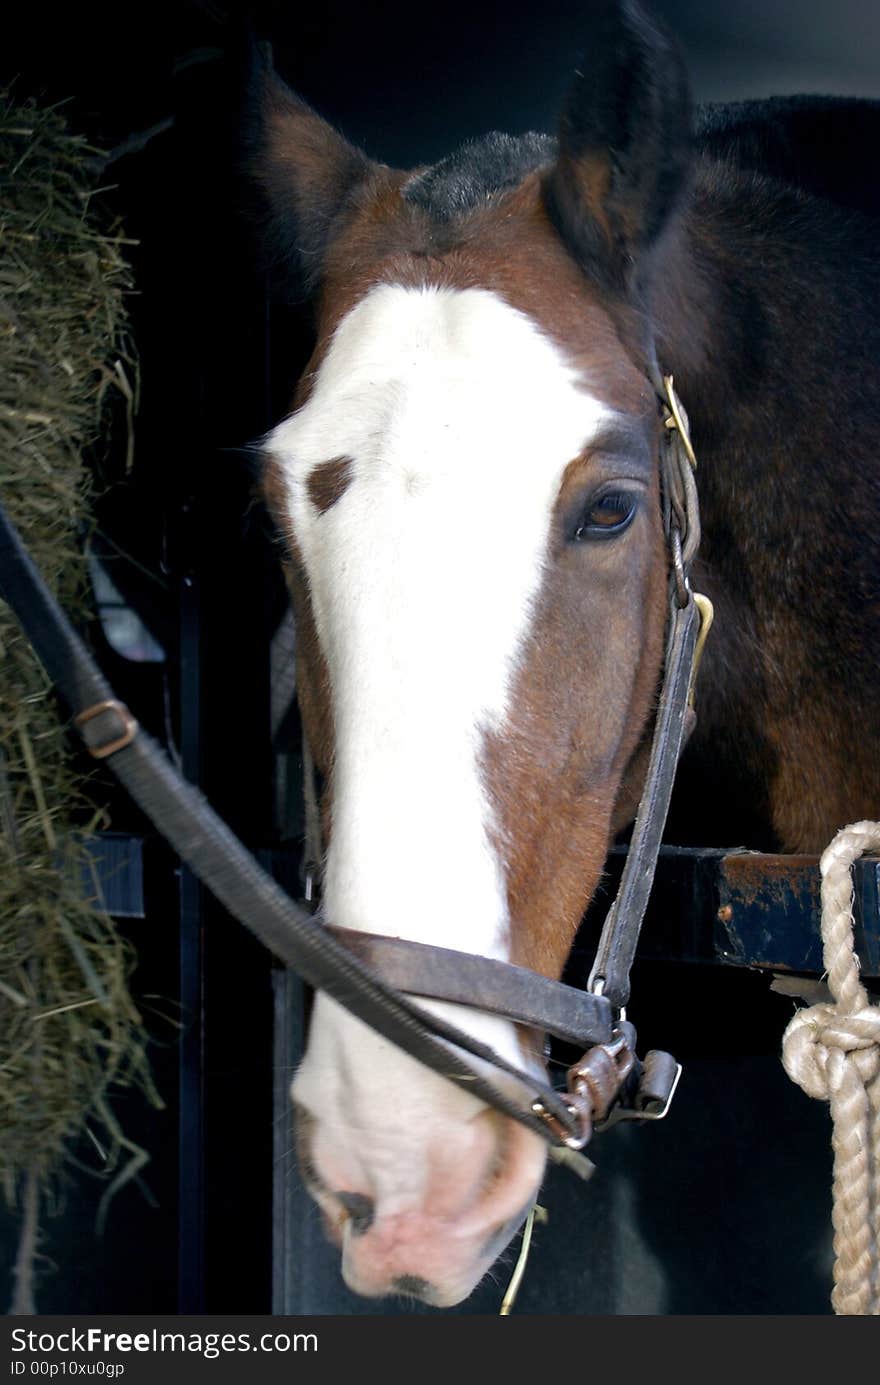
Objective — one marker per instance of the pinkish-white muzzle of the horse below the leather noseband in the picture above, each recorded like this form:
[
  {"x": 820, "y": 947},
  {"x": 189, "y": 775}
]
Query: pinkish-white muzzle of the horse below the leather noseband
[{"x": 421, "y": 1207}]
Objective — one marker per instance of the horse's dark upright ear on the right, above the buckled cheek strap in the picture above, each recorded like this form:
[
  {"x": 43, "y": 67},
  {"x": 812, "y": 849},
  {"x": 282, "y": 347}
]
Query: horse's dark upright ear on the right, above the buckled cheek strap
[{"x": 626, "y": 142}]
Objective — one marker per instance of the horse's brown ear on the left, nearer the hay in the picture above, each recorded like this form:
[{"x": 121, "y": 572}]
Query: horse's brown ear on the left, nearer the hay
[{"x": 303, "y": 171}]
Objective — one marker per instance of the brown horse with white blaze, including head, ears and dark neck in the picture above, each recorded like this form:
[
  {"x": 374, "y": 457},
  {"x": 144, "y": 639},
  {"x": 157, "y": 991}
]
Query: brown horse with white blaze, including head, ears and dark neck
[{"x": 468, "y": 494}]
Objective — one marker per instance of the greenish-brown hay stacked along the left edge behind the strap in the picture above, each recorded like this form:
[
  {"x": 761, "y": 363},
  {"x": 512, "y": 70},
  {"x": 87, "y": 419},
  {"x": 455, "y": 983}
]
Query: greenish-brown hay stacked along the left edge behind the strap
[{"x": 70, "y": 1031}]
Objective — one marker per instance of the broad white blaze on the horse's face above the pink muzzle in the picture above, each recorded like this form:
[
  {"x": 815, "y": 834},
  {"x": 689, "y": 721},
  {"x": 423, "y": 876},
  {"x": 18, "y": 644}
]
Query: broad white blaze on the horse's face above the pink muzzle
[{"x": 459, "y": 418}]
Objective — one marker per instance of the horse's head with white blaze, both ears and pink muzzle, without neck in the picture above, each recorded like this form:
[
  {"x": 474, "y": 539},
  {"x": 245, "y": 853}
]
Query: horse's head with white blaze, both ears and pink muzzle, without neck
[{"x": 468, "y": 491}]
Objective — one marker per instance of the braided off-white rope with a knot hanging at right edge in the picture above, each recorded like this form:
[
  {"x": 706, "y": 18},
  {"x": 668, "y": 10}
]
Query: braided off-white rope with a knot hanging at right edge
[{"x": 834, "y": 1053}]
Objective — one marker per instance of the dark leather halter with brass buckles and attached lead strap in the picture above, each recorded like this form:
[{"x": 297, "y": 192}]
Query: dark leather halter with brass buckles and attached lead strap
[{"x": 368, "y": 974}]
